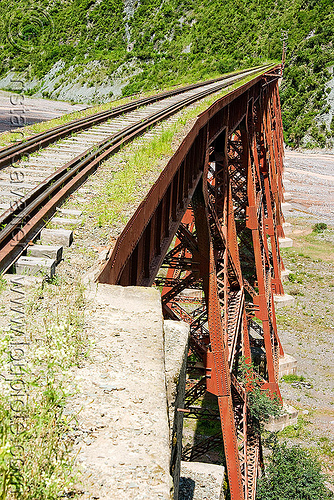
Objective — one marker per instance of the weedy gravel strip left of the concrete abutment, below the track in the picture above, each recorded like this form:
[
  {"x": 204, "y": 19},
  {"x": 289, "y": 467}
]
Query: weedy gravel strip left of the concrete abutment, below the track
[{"x": 42, "y": 468}]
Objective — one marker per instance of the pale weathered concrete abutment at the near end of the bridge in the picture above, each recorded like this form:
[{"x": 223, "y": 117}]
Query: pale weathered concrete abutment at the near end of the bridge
[{"x": 129, "y": 396}]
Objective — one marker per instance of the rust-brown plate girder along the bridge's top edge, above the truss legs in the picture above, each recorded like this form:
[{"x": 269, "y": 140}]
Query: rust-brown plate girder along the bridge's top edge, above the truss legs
[{"x": 171, "y": 184}]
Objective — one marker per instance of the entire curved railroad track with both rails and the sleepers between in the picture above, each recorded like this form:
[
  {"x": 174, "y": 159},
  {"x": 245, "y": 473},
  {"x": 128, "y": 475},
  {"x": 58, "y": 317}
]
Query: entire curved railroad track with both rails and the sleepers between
[{"x": 48, "y": 177}]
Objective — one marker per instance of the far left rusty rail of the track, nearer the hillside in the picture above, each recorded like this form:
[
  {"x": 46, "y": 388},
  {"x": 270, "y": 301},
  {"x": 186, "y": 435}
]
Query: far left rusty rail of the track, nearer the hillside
[{"x": 12, "y": 154}]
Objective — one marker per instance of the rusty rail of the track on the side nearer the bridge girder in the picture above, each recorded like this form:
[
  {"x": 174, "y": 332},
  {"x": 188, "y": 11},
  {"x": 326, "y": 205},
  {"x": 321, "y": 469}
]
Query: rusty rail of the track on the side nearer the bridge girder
[{"x": 25, "y": 220}]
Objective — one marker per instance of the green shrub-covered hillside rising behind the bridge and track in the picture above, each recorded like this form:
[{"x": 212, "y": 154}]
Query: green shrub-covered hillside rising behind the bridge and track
[{"x": 151, "y": 43}]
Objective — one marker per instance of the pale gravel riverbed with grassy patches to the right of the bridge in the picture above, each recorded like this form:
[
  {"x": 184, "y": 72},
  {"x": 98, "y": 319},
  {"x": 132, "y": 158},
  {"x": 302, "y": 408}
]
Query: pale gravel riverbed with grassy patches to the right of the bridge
[{"x": 306, "y": 328}]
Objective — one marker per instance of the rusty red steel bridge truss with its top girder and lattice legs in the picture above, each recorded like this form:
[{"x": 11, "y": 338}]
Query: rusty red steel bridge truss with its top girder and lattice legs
[{"x": 213, "y": 220}]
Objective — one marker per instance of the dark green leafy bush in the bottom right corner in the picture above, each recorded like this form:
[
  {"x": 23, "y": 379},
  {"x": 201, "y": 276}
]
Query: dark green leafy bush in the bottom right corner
[{"x": 292, "y": 474}]
